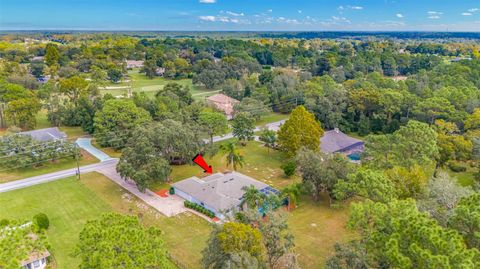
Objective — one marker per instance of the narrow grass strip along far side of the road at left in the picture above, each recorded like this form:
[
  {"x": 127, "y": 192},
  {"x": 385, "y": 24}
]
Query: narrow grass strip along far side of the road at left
[{"x": 49, "y": 167}]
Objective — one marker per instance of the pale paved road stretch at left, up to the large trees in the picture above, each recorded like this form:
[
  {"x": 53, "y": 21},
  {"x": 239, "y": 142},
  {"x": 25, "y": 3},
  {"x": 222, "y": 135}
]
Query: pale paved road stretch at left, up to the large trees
[{"x": 27, "y": 182}]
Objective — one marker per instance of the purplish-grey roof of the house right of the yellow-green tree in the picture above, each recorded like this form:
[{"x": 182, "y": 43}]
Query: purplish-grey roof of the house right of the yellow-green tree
[{"x": 336, "y": 141}]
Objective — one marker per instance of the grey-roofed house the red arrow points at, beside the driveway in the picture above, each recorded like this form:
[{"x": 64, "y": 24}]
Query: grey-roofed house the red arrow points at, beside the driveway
[{"x": 219, "y": 193}]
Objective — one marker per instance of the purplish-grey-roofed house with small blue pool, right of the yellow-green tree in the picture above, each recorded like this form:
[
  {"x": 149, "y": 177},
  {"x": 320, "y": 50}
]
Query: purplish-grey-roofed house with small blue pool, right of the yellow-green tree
[{"x": 334, "y": 141}]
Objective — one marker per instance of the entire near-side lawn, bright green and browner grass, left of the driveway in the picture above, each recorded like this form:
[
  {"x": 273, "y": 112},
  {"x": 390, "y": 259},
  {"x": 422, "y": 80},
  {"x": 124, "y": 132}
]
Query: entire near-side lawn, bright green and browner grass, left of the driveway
[{"x": 70, "y": 203}]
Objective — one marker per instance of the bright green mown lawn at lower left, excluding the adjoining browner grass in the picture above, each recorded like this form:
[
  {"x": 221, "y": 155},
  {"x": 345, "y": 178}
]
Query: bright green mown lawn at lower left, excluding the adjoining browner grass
[{"x": 68, "y": 204}]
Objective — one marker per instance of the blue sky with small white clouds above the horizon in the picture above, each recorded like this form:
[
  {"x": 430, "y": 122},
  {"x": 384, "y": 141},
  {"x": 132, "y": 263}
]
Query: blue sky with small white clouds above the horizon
[{"x": 312, "y": 15}]
